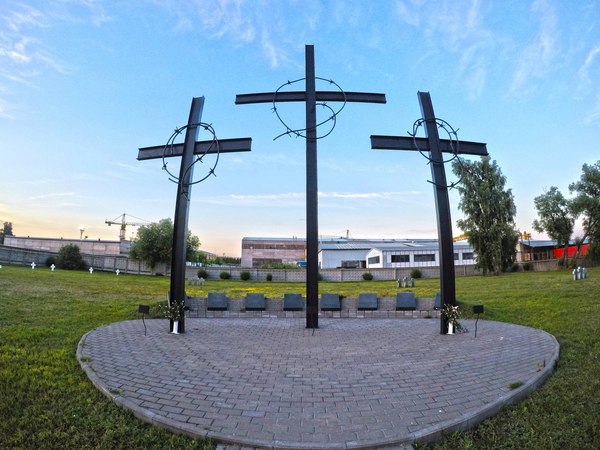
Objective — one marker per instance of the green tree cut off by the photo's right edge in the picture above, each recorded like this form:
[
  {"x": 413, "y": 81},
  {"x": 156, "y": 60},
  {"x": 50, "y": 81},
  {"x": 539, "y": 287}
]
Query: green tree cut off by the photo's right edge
[{"x": 586, "y": 204}]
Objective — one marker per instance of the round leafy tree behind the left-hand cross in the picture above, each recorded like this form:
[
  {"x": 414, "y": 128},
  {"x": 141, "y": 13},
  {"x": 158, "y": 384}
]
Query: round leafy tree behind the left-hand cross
[{"x": 154, "y": 243}]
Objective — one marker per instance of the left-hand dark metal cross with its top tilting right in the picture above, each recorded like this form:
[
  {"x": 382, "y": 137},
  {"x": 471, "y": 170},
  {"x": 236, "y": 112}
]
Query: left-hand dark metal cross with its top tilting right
[{"x": 187, "y": 150}]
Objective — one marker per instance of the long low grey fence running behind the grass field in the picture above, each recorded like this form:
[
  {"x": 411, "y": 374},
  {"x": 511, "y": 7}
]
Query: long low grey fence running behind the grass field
[{"x": 18, "y": 256}]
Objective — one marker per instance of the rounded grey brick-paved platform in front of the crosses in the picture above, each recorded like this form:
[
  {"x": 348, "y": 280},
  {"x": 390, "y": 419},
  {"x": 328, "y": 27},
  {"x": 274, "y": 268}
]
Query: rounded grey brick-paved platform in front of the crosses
[{"x": 352, "y": 383}]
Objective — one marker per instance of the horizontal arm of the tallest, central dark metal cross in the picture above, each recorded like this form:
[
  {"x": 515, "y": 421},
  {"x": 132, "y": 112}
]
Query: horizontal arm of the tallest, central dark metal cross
[{"x": 300, "y": 96}]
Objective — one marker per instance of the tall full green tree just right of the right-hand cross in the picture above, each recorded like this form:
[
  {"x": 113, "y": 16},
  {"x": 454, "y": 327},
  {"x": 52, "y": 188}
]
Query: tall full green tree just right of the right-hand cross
[{"x": 489, "y": 211}]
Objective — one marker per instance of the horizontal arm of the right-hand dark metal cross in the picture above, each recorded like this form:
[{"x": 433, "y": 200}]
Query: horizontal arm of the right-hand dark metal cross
[{"x": 379, "y": 142}]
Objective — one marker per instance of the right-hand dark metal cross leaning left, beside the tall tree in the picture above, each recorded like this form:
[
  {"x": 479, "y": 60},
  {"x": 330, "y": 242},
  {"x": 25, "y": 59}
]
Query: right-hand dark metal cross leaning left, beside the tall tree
[{"x": 435, "y": 146}]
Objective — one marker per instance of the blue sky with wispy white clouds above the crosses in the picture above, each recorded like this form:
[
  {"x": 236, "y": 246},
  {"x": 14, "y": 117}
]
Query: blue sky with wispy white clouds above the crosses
[{"x": 84, "y": 83}]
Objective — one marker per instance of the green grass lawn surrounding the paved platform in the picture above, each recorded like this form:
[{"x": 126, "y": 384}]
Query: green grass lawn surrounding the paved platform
[{"x": 46, "y": 401}]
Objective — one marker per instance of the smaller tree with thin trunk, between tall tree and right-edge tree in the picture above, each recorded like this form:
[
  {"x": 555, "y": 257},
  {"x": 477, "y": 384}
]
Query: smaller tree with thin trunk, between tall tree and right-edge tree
[{"x": 554, "y": 218}]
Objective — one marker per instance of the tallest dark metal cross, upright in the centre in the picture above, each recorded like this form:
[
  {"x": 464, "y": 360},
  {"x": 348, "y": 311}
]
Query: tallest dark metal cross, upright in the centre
[{"x": 310, "y": 97}]
